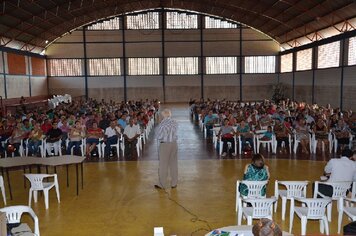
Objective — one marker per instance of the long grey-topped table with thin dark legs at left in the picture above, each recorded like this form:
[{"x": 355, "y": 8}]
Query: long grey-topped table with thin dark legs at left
[{"x": 6, "y": 163}]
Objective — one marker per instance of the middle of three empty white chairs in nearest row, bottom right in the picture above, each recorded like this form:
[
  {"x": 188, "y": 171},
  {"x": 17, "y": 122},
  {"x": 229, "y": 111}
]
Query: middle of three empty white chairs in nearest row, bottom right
[{"x": 314, "y": 210}]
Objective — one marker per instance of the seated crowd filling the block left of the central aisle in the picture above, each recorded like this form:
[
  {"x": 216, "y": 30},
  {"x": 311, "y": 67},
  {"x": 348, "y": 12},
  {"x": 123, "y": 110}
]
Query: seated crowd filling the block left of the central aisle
[{"x": 67, "y": 126}]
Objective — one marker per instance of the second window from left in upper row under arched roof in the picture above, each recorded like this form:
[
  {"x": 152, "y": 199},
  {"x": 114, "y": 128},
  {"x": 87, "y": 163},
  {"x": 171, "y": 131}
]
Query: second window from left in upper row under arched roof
[{"x": 149, "y": 20}]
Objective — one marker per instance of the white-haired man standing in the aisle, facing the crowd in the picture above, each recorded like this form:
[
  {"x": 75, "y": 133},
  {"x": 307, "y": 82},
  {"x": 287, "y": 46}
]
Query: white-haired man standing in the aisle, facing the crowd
[{"x": 168, "y": 148}]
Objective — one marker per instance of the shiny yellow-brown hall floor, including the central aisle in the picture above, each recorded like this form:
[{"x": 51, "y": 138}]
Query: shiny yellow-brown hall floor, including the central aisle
[{"x": 119, "y": 198}]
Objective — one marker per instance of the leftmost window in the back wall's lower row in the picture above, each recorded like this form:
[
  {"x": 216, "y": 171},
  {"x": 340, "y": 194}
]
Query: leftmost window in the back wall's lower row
[{"x": 65, "y": 67}]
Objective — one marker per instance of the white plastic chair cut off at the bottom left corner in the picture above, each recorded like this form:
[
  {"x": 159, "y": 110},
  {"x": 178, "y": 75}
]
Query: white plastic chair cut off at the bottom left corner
[{"x": 14, "y": 213}]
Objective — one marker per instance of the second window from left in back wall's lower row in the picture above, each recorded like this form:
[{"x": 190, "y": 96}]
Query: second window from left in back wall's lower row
[{"x": 105, "y": 66}]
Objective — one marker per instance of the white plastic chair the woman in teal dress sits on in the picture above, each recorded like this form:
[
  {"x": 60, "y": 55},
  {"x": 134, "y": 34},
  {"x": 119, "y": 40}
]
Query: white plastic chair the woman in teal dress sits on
[{"x": 254, "y": 191}]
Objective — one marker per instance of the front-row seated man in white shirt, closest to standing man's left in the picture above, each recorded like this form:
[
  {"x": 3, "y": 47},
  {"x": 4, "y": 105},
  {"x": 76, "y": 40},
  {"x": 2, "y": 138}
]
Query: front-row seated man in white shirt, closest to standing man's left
[{"x": 131, "y": 133}]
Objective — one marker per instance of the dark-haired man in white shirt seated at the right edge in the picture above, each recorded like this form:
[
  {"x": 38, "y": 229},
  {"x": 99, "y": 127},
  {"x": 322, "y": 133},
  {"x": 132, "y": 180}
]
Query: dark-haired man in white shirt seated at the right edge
[{"x": 341, "y": 169}]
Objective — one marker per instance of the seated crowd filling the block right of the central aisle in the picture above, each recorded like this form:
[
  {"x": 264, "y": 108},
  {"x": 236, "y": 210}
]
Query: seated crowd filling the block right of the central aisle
[{"x": 289, "y": 121}]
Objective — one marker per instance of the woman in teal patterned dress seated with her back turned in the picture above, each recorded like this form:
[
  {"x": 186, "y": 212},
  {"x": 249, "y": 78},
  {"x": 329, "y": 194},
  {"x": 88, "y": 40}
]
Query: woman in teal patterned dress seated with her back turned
[{"x": 256, "y": 171}]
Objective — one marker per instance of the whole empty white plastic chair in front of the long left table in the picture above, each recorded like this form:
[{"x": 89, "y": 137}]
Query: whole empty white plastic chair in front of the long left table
[{"x": 37, "y": 184}]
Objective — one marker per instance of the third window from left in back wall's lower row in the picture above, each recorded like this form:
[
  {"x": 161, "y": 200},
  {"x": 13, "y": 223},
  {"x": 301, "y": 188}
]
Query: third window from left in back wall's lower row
[{"x": 143, "y": 66}]
